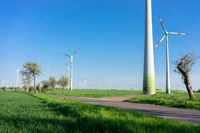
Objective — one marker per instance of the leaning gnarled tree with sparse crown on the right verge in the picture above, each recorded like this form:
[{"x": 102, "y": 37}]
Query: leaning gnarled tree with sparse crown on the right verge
[{"x": 184, "y": 66}]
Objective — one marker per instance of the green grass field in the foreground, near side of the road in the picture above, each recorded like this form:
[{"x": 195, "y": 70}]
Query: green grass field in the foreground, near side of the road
[{"x": 20, "y": 112}]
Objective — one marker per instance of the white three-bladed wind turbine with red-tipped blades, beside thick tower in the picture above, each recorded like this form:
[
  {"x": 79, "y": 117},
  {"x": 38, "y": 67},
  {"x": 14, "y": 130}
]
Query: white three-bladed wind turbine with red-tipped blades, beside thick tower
[{"x": 166, "y": 36}]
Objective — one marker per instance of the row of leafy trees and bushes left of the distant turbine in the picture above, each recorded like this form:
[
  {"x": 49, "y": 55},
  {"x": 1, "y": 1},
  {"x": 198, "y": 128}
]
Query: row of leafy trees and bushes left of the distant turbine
[{"x": 32, "y": 70}]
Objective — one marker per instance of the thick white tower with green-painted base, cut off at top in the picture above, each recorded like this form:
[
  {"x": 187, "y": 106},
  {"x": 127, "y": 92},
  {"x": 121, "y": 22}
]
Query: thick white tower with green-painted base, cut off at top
[{"x": 149, "y": 72}]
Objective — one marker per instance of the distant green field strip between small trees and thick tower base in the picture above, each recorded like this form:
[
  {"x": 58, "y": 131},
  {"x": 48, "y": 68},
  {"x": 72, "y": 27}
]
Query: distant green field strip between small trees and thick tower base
[{"x": 95, "y": 93}]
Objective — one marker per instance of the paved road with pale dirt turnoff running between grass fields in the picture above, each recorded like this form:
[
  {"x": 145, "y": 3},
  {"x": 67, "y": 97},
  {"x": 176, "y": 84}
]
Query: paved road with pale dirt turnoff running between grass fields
[{"x": 191, "y": 116}]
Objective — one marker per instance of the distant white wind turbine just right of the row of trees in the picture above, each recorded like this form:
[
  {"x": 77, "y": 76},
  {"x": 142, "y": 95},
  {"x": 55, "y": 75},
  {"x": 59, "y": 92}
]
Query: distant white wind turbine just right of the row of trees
[{"x": 71, "y": 57}]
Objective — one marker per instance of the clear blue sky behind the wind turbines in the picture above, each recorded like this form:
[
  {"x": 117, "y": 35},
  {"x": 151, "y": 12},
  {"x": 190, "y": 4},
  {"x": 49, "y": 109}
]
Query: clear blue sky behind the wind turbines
[{"x": 108, "y": 33}]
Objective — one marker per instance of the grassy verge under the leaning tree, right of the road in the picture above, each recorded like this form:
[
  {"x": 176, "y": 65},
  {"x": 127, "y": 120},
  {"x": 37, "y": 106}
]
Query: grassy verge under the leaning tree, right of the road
[{"x": 177, "y": 99}]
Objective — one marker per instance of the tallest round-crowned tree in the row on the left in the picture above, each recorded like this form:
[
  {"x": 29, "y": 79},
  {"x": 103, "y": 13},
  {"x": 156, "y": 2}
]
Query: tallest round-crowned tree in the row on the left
[{"x": 33, "y": 70}]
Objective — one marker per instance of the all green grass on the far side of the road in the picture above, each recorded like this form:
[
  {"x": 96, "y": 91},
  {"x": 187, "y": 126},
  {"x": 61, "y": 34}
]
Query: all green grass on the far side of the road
[{"x": 178, "y": 99}]
